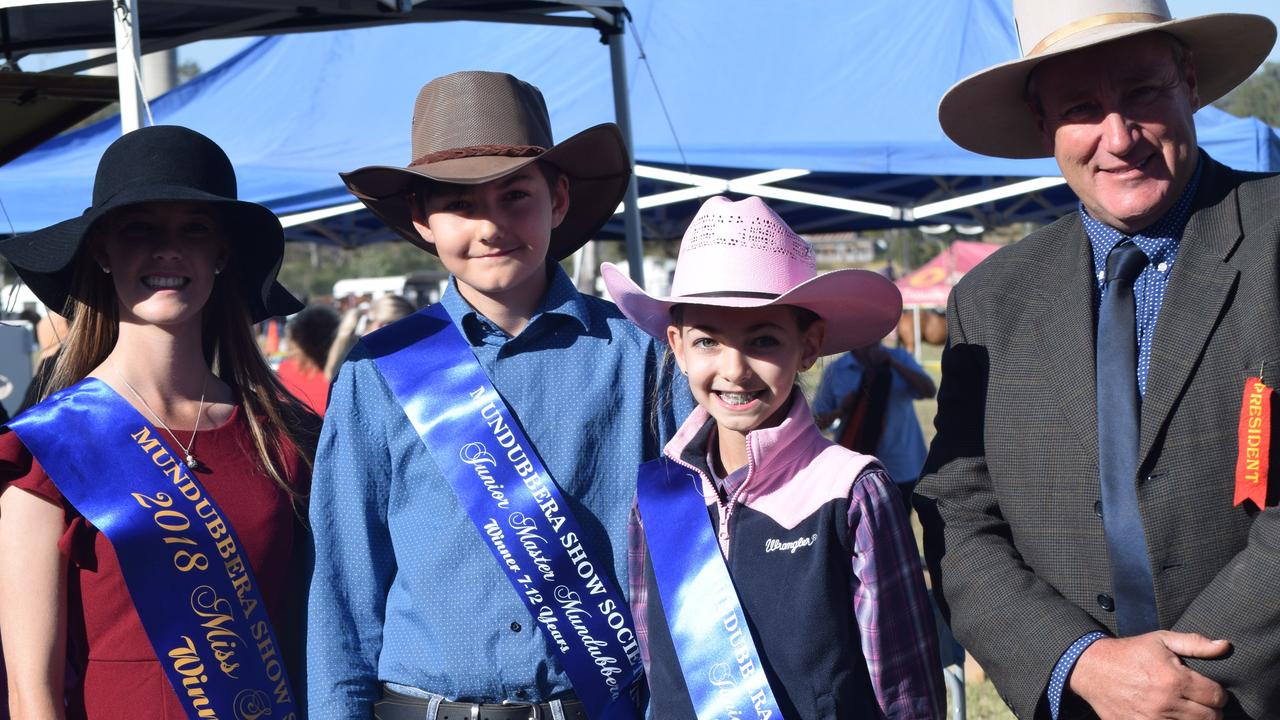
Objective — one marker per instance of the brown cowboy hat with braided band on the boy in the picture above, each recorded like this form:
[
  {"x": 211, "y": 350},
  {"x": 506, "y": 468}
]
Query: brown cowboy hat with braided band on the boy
[{"x": 474, "y": 127}]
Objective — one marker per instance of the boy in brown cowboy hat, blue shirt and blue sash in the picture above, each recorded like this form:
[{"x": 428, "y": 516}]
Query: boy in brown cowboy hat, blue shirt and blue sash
[{"x": 477, "y": 466}]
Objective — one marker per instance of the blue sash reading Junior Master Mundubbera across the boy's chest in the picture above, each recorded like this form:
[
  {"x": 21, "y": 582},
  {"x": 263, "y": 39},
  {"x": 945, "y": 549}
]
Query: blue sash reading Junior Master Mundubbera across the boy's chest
[{"x": 515, "y": 504}]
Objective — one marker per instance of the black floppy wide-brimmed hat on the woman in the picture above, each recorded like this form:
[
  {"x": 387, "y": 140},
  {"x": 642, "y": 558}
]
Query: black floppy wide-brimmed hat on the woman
[{"x": 163, "y": 165}]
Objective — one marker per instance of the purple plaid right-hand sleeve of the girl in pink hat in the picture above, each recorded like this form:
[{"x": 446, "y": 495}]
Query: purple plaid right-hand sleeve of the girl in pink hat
[{"x": 895, "y": 619}]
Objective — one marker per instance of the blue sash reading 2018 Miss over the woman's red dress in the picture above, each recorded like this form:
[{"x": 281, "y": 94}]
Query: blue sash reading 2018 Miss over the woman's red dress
[{"x": 181, "y": 560}]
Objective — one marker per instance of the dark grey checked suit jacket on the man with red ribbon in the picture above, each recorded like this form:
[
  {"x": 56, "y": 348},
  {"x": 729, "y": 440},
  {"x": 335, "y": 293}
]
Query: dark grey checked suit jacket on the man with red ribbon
[{"x": 1011, "y": 491}]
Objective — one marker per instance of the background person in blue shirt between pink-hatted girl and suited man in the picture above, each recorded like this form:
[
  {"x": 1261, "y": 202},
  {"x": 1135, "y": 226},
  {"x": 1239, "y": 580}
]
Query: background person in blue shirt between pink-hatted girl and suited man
[{"x": 872, "y": 393}]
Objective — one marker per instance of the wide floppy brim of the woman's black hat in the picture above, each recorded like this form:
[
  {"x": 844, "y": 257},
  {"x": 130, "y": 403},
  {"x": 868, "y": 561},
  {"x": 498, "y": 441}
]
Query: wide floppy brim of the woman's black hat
[{"x": 44, "y": 258}]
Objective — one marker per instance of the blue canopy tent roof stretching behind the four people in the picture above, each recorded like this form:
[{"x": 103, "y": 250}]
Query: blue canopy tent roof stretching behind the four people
[{"x": 826, "y": 108}]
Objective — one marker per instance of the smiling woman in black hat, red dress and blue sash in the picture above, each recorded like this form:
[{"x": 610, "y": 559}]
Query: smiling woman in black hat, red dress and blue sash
[{"x": 150, "y": 536}]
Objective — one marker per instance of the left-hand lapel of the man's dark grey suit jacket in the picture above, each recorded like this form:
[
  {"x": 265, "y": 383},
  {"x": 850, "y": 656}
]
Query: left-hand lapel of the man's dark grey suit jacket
[{"x": 1066, "y": 334}]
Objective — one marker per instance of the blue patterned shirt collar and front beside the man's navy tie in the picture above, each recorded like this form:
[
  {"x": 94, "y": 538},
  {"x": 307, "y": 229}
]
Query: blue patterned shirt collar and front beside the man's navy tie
[{"x": 1160, "y": 244}]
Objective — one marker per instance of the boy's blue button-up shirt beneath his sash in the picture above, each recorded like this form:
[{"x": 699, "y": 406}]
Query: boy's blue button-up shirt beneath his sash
[{"x": 405, "y": 590}]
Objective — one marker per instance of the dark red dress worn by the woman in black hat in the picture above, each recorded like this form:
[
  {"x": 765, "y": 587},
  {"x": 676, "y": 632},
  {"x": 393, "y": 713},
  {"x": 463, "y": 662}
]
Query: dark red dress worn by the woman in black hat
[{"x": 108, "y": 649}]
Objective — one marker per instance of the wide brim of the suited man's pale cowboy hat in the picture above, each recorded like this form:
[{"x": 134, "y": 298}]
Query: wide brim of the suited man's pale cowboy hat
[{"x": 988, "y": 112}]
